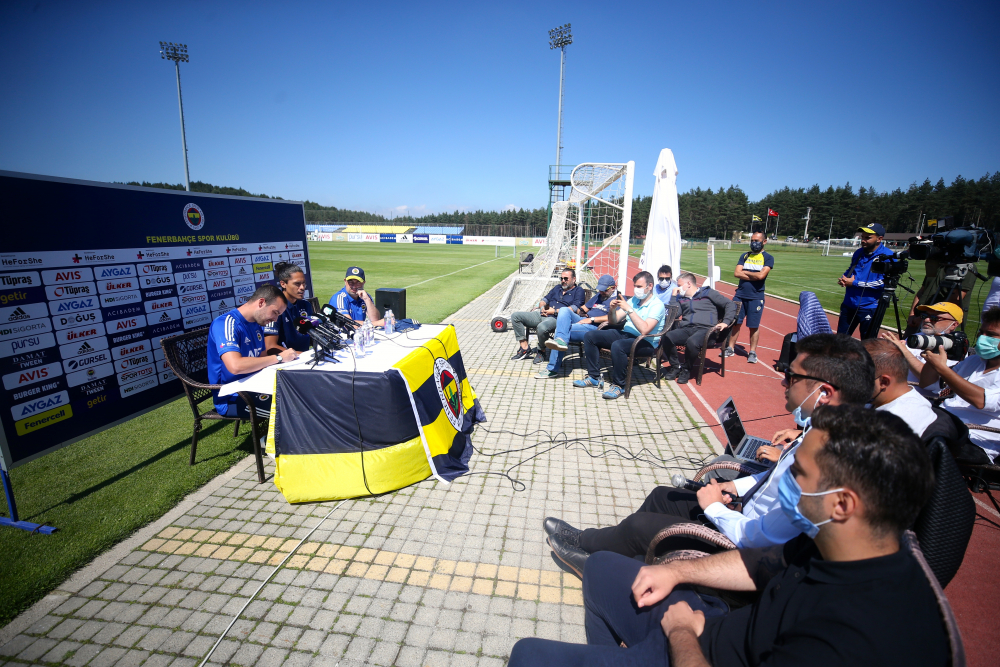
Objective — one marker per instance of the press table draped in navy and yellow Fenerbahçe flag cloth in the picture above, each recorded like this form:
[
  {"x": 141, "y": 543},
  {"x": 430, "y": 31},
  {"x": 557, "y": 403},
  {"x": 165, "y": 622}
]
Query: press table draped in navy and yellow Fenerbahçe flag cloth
[{"x": 363, "y": 426}]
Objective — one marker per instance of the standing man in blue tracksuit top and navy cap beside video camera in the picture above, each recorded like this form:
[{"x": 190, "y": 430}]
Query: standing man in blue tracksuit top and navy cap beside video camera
[{"x": 863, "y": 286}]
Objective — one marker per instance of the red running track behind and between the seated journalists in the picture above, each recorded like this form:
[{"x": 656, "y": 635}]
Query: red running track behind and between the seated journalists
[{"x": 758, "y": 393}]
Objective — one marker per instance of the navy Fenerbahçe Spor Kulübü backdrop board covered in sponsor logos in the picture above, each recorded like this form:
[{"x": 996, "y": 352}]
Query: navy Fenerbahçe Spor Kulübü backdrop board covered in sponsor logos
[{"x": 93, "y": 276}]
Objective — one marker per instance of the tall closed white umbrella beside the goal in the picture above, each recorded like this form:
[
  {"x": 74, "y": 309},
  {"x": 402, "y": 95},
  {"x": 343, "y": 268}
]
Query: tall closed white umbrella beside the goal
[{"x": 663, "y": 231}]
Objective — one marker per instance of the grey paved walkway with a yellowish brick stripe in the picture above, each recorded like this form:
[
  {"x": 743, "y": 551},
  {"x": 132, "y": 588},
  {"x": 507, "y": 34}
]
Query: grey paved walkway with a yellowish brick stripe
[{"x": 429, "y": 575}]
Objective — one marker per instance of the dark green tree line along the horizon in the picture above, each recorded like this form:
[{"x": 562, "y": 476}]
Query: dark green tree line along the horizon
[{"x": 720, "y": 213}]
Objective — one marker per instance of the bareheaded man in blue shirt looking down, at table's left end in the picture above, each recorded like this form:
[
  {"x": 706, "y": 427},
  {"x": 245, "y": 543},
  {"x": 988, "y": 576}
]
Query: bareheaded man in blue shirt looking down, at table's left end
[{"x": 236, "y": 347}]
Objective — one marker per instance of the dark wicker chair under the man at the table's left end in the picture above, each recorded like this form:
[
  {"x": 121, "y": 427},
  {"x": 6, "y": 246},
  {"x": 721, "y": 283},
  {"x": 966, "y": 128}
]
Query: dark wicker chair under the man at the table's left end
[{"x": 187, "y": 355}]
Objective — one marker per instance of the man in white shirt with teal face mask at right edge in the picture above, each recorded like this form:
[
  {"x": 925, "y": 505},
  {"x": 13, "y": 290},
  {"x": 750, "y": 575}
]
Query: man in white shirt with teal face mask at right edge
[{"x": 975, "y": 386}]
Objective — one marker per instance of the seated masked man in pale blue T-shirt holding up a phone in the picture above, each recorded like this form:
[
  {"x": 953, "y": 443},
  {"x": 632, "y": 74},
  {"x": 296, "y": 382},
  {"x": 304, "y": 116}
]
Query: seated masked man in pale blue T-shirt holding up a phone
[{"x": 644, "y": 314}]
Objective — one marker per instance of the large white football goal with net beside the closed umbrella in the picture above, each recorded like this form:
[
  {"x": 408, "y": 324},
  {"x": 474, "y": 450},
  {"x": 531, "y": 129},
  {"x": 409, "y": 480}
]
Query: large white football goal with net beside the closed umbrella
[{"x": 589, "y": 231}]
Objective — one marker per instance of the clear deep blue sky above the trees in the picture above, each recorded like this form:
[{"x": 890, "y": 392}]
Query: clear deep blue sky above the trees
[{"x": 437, "y": 107}]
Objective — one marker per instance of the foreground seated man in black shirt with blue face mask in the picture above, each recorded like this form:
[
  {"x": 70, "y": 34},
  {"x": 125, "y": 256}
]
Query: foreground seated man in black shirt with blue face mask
[{"x": 845, "y": 592}]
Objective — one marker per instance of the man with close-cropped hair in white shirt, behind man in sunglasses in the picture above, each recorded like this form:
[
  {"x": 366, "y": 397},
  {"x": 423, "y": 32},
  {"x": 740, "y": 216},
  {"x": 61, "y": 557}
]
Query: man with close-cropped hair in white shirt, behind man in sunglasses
[{"x": 892, "y": 393}]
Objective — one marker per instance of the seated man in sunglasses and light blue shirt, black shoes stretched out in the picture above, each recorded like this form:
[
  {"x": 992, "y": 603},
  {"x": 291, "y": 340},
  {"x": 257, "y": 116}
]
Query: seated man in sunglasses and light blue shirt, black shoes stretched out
[{"x": 828, "y": 369}]
